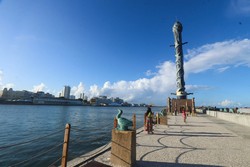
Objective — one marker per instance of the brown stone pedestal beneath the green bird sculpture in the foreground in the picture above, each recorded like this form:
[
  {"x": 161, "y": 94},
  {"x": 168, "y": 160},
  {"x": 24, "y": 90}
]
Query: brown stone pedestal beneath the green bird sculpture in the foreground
[{"x": 123, "y": 148}]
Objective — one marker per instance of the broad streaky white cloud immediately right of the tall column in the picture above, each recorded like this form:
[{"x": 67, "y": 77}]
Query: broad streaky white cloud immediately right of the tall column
[{"x": 218, "y": 55}]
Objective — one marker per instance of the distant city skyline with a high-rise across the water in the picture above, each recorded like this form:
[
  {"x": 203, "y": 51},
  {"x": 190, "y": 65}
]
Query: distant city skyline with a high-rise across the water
[{"x": 10, "y": 96}]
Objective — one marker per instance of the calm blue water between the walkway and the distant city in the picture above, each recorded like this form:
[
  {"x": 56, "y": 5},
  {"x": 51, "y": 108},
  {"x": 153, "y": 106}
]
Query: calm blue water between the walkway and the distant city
[{"x": 90, "y": 128}]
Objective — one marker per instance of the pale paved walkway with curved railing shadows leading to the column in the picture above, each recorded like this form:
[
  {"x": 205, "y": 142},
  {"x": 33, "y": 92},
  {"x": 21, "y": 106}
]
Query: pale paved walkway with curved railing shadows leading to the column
[{"x": 202, "y": 141}]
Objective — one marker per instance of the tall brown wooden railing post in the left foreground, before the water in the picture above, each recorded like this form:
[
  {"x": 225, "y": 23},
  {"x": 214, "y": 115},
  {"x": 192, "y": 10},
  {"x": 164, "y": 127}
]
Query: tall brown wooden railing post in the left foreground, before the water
[{"x": 65, "y": 146}]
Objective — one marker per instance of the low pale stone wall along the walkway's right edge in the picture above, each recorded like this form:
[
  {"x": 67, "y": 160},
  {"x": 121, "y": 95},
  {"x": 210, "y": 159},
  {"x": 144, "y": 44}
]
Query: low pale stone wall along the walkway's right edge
[{"x": 241, "y": 119}]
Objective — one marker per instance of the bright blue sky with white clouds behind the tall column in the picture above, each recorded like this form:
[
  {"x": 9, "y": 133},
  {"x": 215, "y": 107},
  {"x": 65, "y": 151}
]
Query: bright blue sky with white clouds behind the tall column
[{"x": 121, "y": 48}]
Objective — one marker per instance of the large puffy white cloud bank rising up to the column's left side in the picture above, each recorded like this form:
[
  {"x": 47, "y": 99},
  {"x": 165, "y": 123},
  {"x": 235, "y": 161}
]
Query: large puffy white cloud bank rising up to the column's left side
[{"x": 155, "y": 89}]
